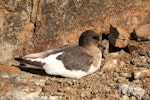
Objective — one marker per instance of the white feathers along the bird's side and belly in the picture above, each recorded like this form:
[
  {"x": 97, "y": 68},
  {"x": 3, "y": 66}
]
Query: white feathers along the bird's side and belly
[{"x": 56, "y": 67}]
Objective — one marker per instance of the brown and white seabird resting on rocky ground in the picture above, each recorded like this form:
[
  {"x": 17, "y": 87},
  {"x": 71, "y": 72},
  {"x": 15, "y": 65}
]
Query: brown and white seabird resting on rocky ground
[{"x": 69, "y": 61}]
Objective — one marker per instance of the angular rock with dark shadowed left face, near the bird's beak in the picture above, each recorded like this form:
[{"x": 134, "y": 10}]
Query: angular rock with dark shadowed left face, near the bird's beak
[{"x": 118, "y": 37}]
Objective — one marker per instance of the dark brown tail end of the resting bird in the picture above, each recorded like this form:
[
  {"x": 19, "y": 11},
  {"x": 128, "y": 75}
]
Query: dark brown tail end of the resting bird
[{"x": 24, "y": 63}]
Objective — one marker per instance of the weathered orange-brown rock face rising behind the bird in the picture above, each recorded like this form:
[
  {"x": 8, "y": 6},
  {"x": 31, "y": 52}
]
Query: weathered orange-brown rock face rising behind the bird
[{"x": 34, "y": 25}]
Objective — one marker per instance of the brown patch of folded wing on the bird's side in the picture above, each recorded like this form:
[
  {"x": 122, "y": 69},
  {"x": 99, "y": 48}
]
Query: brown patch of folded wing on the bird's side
[{"x": 76, "y": 58}]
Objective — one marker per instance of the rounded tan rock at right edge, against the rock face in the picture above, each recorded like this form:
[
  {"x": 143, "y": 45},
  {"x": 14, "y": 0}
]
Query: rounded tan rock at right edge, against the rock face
[{"x": 142, "y": 33}]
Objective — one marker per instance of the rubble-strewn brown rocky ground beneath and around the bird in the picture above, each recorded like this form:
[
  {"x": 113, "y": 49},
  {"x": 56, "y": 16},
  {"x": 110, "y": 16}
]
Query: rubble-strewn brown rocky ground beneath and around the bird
[{"x": 124, "y": 75}]
